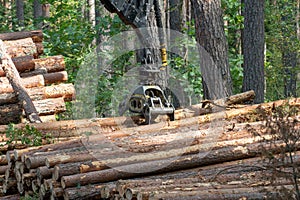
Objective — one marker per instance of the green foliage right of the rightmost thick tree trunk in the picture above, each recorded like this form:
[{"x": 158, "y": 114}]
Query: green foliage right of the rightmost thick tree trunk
[{"x": 280, "y": 27}]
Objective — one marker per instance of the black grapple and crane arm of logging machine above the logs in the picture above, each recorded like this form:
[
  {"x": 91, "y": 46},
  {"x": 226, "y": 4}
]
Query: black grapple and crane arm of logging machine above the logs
[{"x": 148, "y": 99}]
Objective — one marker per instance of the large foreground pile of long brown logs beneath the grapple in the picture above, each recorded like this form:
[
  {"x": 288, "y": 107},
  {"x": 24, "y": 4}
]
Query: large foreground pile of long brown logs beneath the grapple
[{"x": 211, "y": 156}]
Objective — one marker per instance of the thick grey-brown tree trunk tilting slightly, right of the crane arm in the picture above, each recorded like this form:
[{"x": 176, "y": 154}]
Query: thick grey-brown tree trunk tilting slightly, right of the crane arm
[{"x": 213, "y": 52}]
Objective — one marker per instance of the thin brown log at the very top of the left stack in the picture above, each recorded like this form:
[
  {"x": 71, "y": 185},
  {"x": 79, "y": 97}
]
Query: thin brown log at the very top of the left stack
[{"x": 36, "y": 35}]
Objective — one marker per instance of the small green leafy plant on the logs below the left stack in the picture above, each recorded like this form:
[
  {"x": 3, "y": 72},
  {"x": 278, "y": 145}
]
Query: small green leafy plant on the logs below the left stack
[{"x": 28, "y": 135}]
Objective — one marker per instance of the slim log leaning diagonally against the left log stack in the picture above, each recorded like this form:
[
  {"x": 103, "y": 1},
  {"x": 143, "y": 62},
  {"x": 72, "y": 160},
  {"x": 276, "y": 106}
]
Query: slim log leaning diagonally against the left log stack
[{"x": 14, "y": 78}]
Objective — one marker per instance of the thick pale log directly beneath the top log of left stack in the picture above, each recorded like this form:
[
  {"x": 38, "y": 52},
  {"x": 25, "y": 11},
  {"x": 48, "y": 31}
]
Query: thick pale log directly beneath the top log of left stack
[{"x": 21, "y": 47}]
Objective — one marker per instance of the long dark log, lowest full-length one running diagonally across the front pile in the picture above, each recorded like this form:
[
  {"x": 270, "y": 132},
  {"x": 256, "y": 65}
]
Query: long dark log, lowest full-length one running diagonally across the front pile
[{"x": 173, "y": 164}]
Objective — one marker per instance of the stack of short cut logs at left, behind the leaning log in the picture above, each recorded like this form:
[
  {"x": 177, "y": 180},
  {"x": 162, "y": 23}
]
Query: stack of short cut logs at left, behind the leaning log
[{"x": 43, "y": 78}]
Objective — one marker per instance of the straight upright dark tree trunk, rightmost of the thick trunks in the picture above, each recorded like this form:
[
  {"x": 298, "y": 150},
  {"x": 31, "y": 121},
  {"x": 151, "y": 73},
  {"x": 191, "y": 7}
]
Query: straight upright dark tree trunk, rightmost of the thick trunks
[{"x": 253, "y": 48}]
